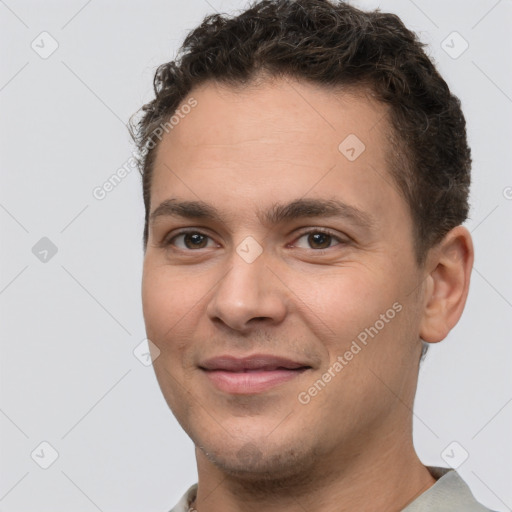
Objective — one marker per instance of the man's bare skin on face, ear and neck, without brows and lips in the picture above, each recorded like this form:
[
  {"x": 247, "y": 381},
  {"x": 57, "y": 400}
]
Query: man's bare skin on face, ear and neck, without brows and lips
[{"x": 350, "y": 447}]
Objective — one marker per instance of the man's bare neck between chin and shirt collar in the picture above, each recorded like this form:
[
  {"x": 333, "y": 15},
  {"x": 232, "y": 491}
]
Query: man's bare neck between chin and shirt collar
[{"x": 362, "y": 480}]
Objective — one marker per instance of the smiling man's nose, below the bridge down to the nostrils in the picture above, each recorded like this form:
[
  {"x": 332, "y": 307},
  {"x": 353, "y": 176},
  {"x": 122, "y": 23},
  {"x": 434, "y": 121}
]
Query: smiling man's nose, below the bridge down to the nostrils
[{"x": 248, "y": 295}]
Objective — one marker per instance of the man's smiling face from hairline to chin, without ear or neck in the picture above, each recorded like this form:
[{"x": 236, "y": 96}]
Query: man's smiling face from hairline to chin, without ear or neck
[{"x": 253, "y": 308}]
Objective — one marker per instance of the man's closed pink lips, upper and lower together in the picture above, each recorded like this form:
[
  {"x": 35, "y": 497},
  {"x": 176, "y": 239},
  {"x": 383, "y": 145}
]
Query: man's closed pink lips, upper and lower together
[{"x": 251, "y": 375}]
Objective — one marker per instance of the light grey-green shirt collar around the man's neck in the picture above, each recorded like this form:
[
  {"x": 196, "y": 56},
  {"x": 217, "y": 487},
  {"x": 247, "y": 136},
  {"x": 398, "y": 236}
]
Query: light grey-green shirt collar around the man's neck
[{"x": 449, "y": 494}]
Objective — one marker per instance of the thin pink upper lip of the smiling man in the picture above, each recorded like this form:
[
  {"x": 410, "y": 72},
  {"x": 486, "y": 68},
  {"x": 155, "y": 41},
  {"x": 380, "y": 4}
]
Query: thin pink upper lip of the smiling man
[{"x": 254, "y": 362}]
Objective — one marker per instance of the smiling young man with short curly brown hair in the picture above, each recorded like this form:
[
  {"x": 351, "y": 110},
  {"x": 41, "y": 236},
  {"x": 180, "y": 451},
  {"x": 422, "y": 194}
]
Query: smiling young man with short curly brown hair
[{"x": 305, "y": 177}]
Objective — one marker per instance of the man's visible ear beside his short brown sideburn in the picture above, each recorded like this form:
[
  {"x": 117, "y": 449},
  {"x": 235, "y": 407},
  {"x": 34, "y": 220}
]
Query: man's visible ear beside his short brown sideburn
[{"x": 447, "y": 285}]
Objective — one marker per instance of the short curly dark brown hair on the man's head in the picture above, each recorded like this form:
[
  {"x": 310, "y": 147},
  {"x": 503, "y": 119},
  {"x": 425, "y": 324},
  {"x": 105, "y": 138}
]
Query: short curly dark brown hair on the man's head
[{"x": 332, "y": 44}]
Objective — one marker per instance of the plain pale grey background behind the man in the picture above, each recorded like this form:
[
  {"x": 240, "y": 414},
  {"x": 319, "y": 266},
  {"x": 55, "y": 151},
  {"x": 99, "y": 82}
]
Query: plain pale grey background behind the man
[{"x": 70, "y": 321}]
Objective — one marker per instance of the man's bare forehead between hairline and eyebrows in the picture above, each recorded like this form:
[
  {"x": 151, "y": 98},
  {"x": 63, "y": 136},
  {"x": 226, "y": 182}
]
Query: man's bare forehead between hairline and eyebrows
[{"x": 275, "y": 139}]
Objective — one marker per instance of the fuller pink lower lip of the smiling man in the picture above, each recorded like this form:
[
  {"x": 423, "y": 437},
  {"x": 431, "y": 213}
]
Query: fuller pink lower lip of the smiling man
[{"x": 252, "y": 381}]
